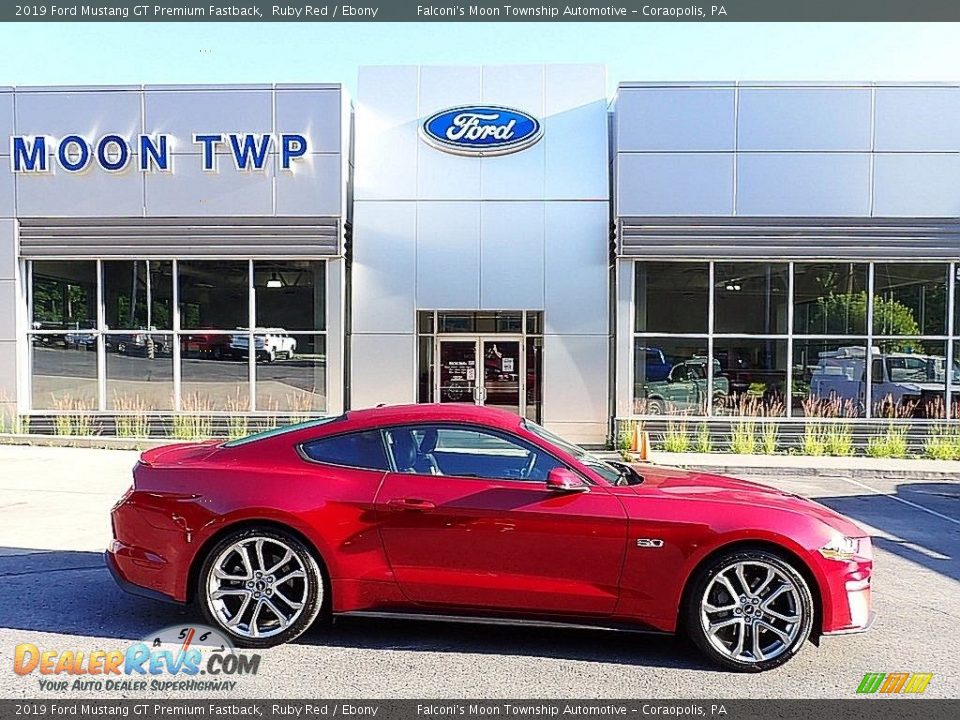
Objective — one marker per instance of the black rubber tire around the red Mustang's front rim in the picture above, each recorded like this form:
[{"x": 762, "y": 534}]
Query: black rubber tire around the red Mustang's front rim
[{"x": 701, "y": 581}]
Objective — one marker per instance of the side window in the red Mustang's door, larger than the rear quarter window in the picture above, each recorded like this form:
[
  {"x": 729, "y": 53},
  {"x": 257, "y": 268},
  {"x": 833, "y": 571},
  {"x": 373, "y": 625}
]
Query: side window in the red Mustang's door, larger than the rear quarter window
[{"x": 467, "y": 452}]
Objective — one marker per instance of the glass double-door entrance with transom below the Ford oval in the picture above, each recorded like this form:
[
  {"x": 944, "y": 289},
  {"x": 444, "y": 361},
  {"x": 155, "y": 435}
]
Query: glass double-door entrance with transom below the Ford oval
[{"x": 483, "y": 358}]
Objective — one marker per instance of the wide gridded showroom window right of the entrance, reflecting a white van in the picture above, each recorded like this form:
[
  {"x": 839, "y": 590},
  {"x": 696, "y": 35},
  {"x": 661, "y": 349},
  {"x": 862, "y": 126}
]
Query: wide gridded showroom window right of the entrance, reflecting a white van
[{"x": 821, "y": 351}]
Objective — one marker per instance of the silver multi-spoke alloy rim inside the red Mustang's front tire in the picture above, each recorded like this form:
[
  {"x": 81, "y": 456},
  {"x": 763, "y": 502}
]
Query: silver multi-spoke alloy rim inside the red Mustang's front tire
[{"x": 751, "y": 611}]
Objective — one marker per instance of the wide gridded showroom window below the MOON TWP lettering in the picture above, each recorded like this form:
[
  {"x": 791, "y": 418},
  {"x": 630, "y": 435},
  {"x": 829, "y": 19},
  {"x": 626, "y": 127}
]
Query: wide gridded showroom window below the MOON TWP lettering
[{"x": 177, "y": 336}]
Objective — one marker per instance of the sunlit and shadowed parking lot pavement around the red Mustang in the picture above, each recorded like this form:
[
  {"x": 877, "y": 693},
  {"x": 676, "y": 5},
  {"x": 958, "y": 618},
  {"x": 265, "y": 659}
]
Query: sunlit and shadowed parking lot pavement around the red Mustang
[{"x": 56, "y": 593}]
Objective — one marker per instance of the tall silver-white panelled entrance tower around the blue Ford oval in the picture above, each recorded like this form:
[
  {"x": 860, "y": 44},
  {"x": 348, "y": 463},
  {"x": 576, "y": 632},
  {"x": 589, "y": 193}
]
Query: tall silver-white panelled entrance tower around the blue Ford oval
[{"x": 527, "y": 231}]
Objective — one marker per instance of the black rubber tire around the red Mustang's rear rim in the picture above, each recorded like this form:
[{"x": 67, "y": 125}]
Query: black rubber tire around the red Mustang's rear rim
[{"x": 315, "y": 580}]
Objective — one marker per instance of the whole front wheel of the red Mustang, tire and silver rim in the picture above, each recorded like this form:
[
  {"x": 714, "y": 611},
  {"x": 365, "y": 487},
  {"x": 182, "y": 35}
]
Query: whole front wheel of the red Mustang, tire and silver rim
[{"x": 749, "y": 610}]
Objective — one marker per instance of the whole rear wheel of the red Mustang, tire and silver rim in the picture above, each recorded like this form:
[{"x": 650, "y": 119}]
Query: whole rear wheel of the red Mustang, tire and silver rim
[{"x": 261, "y": 586}]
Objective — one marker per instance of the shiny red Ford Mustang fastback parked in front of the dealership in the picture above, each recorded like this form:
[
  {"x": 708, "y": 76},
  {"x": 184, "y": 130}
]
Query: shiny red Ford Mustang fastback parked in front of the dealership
[{"x": 467, "y": 512}]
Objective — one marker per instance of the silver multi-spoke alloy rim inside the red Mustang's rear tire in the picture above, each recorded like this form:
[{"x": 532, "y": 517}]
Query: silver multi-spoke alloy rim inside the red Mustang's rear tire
[{"x": 257, "y": 587}]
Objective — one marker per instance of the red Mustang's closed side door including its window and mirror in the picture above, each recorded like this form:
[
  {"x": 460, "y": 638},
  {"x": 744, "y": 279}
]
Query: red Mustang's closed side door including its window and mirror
[{"x": 467, "y": 521}]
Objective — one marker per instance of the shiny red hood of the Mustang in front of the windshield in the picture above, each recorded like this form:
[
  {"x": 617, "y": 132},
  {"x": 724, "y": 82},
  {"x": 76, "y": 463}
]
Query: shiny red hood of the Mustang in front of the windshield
[{"x": 694, "y": 486}]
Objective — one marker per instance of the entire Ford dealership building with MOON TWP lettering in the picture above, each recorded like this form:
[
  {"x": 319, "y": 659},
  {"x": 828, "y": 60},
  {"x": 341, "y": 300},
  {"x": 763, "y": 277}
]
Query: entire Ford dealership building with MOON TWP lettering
[{"x": 510, "y": 236}]
